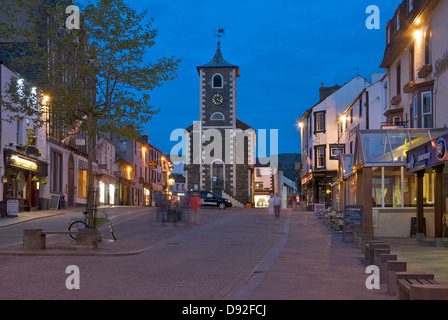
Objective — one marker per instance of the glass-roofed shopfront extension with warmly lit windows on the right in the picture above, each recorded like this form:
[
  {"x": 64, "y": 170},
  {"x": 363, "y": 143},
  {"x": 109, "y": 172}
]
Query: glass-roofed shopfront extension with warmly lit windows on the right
[{"x": 381, "y": 183}]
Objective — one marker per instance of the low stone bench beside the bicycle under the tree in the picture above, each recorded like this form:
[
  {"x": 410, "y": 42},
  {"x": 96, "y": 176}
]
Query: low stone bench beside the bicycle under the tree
[{"x": 35, "y": 239}]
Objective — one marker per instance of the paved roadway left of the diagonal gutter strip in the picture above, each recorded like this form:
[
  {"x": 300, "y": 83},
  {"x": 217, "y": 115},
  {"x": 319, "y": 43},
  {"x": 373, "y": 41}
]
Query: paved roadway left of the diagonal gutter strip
[{"x": 176, "y": 262}]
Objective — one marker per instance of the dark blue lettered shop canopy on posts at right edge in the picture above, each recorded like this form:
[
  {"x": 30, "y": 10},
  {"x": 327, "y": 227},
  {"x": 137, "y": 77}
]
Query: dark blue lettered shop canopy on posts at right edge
[{"x": 429, "y": 157}]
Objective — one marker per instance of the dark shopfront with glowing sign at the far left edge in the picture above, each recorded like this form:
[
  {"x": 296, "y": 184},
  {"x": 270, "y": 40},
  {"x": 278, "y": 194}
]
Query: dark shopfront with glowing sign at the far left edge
[{"x": 23, "y": 178}]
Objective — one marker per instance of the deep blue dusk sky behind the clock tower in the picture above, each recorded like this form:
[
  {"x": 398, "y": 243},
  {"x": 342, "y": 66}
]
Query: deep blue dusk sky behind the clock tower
[{"x": 285, "y": 49}]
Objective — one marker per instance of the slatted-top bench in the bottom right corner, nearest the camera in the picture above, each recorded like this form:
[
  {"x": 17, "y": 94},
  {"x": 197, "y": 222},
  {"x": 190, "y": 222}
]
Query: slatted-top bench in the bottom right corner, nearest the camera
[{"x": 419, "y": 286}]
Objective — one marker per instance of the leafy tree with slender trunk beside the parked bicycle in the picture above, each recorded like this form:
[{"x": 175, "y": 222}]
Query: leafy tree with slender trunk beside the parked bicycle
[{"x": 95, "y": 78}]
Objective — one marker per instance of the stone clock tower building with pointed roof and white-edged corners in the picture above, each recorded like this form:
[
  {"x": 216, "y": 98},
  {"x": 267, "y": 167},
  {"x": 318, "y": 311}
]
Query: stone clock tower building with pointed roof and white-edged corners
[{"x": 220, "y": 147}]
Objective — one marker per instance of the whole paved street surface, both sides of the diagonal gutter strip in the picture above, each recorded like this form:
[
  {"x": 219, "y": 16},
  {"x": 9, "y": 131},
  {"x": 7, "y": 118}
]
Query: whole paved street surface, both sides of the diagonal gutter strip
[{"x": 235, "y": 254}]
